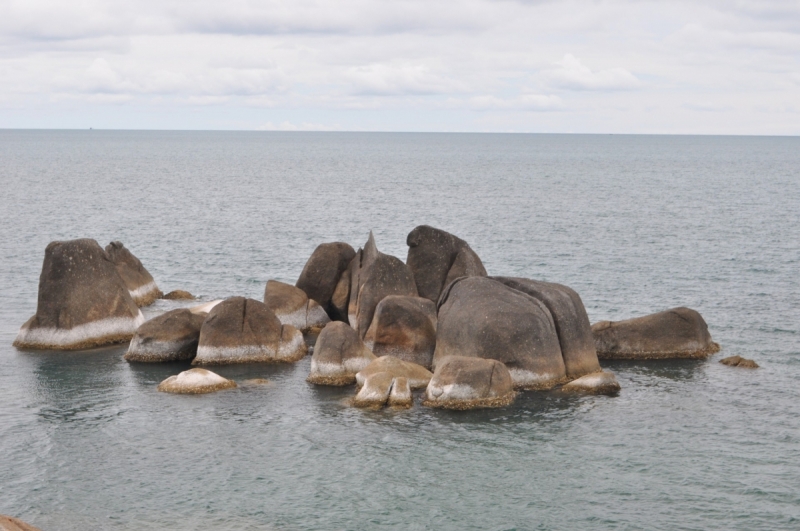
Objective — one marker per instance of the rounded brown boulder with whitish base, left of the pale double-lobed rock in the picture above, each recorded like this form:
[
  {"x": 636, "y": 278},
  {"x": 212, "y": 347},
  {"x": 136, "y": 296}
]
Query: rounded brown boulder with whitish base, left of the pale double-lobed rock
[{"x": 338, "y": 355}]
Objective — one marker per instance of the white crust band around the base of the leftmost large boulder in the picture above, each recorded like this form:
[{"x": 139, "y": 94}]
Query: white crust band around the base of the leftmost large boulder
[{"x": 89, "y": 335}]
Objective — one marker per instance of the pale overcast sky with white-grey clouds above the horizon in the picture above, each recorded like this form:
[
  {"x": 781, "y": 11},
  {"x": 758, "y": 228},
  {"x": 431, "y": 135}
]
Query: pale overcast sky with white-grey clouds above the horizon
[{"x": 577, "y": 66}]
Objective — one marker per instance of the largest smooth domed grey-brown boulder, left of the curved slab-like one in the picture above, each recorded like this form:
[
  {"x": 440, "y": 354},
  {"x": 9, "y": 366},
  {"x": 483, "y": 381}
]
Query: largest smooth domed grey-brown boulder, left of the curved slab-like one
[{"x": 483, "y": 318}]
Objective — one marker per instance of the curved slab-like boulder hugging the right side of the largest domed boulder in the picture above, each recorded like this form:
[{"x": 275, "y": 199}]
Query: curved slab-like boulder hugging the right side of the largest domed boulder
[{"x": 569, "y": 316}]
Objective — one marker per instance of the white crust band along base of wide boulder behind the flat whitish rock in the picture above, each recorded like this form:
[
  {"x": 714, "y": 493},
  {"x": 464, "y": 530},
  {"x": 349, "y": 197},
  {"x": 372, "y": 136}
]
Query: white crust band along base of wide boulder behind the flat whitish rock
[{"x": 292, "y": 350}]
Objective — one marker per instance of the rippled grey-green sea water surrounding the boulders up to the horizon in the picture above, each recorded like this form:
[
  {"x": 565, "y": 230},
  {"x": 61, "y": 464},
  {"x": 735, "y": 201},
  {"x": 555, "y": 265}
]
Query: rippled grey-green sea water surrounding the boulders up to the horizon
[{"x": 635, "y": 224}]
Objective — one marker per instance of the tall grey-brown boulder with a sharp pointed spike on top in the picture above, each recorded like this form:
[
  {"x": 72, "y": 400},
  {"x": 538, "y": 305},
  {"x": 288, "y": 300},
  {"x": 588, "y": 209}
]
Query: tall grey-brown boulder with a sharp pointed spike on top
[{"x": 374, "y": 276}]
